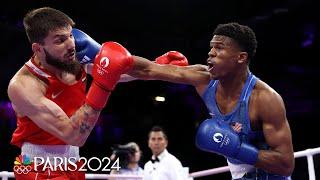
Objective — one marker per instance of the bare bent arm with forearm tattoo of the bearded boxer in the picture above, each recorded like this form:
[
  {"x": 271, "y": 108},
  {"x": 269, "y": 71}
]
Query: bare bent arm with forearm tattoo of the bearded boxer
[{"x": 27, "y": 96}]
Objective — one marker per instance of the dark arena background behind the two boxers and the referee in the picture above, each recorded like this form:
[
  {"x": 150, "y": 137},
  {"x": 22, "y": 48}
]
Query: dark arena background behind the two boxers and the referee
[{"x": 288, "y": 34}]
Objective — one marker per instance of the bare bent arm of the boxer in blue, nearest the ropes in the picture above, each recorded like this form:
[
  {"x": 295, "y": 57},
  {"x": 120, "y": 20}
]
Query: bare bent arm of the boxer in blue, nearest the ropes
[{"x": 279, "y": 159}]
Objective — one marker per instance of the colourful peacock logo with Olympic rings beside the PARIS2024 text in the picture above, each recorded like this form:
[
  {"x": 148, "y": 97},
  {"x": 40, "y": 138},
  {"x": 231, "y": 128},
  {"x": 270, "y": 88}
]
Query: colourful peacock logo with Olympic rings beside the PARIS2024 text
[{"x": 22, "y": 164}]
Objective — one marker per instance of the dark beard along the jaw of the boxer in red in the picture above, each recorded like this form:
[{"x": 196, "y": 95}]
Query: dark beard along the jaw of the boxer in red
[{"x": 72, "y": 67}]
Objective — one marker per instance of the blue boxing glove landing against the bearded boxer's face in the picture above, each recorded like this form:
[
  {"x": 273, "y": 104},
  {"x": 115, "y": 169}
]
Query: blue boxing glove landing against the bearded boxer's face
[{"x": 86, "y": 47}]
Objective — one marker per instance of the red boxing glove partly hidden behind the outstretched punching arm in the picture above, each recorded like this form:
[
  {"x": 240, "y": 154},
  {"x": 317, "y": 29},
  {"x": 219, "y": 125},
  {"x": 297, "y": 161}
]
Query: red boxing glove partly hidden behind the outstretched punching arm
[{"x": 174, "y": 58}]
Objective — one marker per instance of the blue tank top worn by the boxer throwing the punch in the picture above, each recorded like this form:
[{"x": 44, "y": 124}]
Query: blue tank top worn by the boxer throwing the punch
[{"x": 239, "y": 114}]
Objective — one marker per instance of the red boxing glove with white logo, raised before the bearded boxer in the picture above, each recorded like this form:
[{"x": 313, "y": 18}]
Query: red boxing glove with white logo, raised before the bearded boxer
[{"x": 111, "y": 61}]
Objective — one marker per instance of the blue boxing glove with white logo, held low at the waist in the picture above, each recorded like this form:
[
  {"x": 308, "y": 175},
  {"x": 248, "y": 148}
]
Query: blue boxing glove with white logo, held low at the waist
[{"x": 218, "y": 137}]
